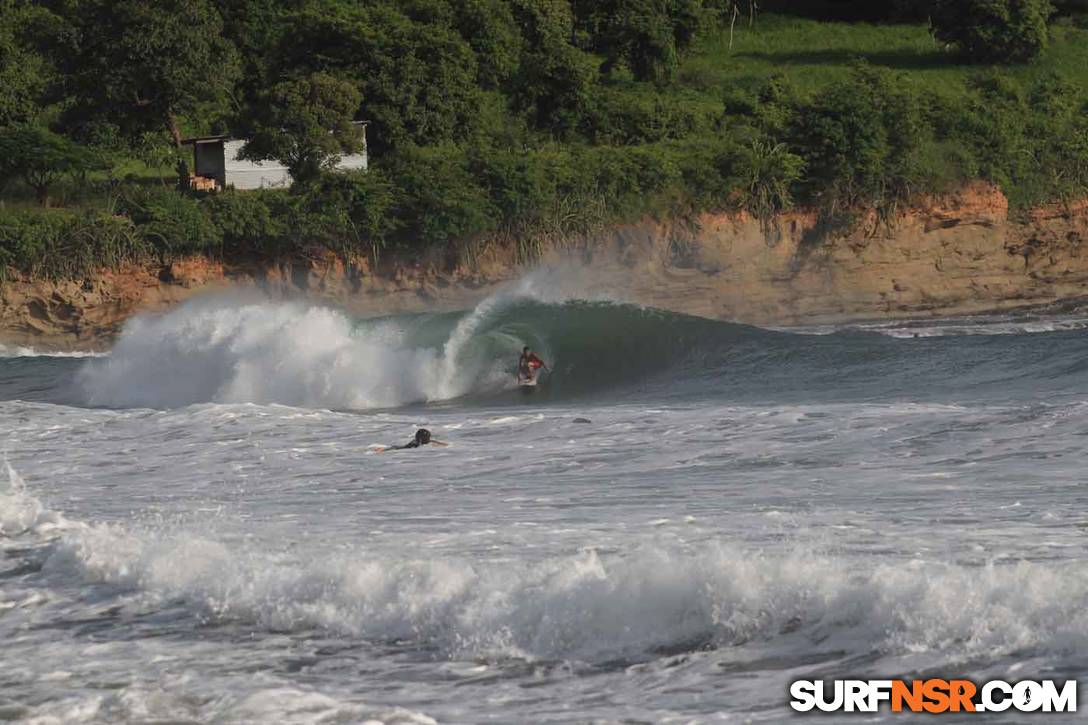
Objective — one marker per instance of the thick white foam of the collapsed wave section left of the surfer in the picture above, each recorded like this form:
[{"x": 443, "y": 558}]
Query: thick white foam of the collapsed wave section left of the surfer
[{"x": 265, "y": 352}]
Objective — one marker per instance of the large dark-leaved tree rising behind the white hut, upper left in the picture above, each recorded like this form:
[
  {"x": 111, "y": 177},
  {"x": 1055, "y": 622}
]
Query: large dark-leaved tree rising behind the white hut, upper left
[{"x": 144, "y": 64}]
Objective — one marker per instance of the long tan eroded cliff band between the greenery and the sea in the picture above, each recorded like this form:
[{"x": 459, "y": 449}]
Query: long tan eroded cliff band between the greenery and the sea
[{"x": 959, "y": 254}]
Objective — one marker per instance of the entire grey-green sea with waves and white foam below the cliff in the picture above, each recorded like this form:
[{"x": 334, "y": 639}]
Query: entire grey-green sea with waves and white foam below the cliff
[{"x": 686, "y": 518}]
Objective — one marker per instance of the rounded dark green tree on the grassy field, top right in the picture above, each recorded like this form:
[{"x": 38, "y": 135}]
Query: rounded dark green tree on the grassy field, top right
[{"x": 993, "y": 31}]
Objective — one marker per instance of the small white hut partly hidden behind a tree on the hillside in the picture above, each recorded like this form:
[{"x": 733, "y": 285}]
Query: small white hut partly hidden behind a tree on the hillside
[{"x": 216, "y": 165}]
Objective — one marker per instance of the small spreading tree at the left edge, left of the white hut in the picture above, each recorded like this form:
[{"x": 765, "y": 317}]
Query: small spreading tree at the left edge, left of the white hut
[{"x": 42, "y": 158}]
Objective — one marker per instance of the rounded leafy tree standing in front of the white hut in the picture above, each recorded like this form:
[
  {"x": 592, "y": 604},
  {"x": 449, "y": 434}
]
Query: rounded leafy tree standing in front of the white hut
[{"x": 307, "y": 125}]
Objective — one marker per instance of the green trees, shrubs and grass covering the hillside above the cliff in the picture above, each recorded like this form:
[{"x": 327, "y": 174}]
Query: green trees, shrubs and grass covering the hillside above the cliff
[{"x": 527, "y": 120}]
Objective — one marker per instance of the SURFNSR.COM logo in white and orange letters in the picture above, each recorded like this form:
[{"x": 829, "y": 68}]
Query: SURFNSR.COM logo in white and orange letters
[{"x": 933, "y": 696}]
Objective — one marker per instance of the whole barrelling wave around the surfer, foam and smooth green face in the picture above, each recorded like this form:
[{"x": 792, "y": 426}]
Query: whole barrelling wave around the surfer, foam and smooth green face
[{"x": 257, "y": 351}]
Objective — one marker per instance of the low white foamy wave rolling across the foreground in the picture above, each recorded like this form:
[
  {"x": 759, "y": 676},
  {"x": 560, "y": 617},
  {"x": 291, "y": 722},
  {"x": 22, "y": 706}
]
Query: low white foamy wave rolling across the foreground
[{"x": 599, "y": 609}]
